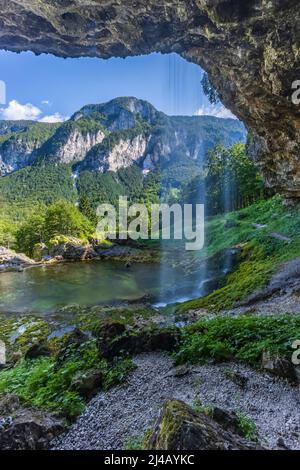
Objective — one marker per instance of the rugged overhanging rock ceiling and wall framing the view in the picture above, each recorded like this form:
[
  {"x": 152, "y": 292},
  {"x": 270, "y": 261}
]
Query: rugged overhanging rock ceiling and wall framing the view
[{"x": 250, "y": 48}]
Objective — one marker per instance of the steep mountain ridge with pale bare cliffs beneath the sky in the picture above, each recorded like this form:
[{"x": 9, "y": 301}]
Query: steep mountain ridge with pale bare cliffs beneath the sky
[{"x": 114, "y": 135}]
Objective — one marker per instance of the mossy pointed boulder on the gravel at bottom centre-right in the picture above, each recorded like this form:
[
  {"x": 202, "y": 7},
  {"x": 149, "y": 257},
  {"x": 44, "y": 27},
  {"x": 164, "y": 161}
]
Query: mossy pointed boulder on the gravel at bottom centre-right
[{"x": 179, "y": 427}]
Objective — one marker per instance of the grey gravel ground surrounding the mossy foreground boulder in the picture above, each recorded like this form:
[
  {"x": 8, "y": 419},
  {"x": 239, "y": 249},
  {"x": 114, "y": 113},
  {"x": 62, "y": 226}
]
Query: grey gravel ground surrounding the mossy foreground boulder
[{"x": 130, "y": 409}]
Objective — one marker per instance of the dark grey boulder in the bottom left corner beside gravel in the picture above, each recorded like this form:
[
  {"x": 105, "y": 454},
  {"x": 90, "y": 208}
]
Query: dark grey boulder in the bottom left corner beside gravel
[{"x": 25, "y": 428}]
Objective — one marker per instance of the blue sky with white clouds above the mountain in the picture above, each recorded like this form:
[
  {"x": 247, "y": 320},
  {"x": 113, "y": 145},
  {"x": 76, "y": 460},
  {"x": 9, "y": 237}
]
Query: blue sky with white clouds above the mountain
[{"x": 51, "y": 89}]
